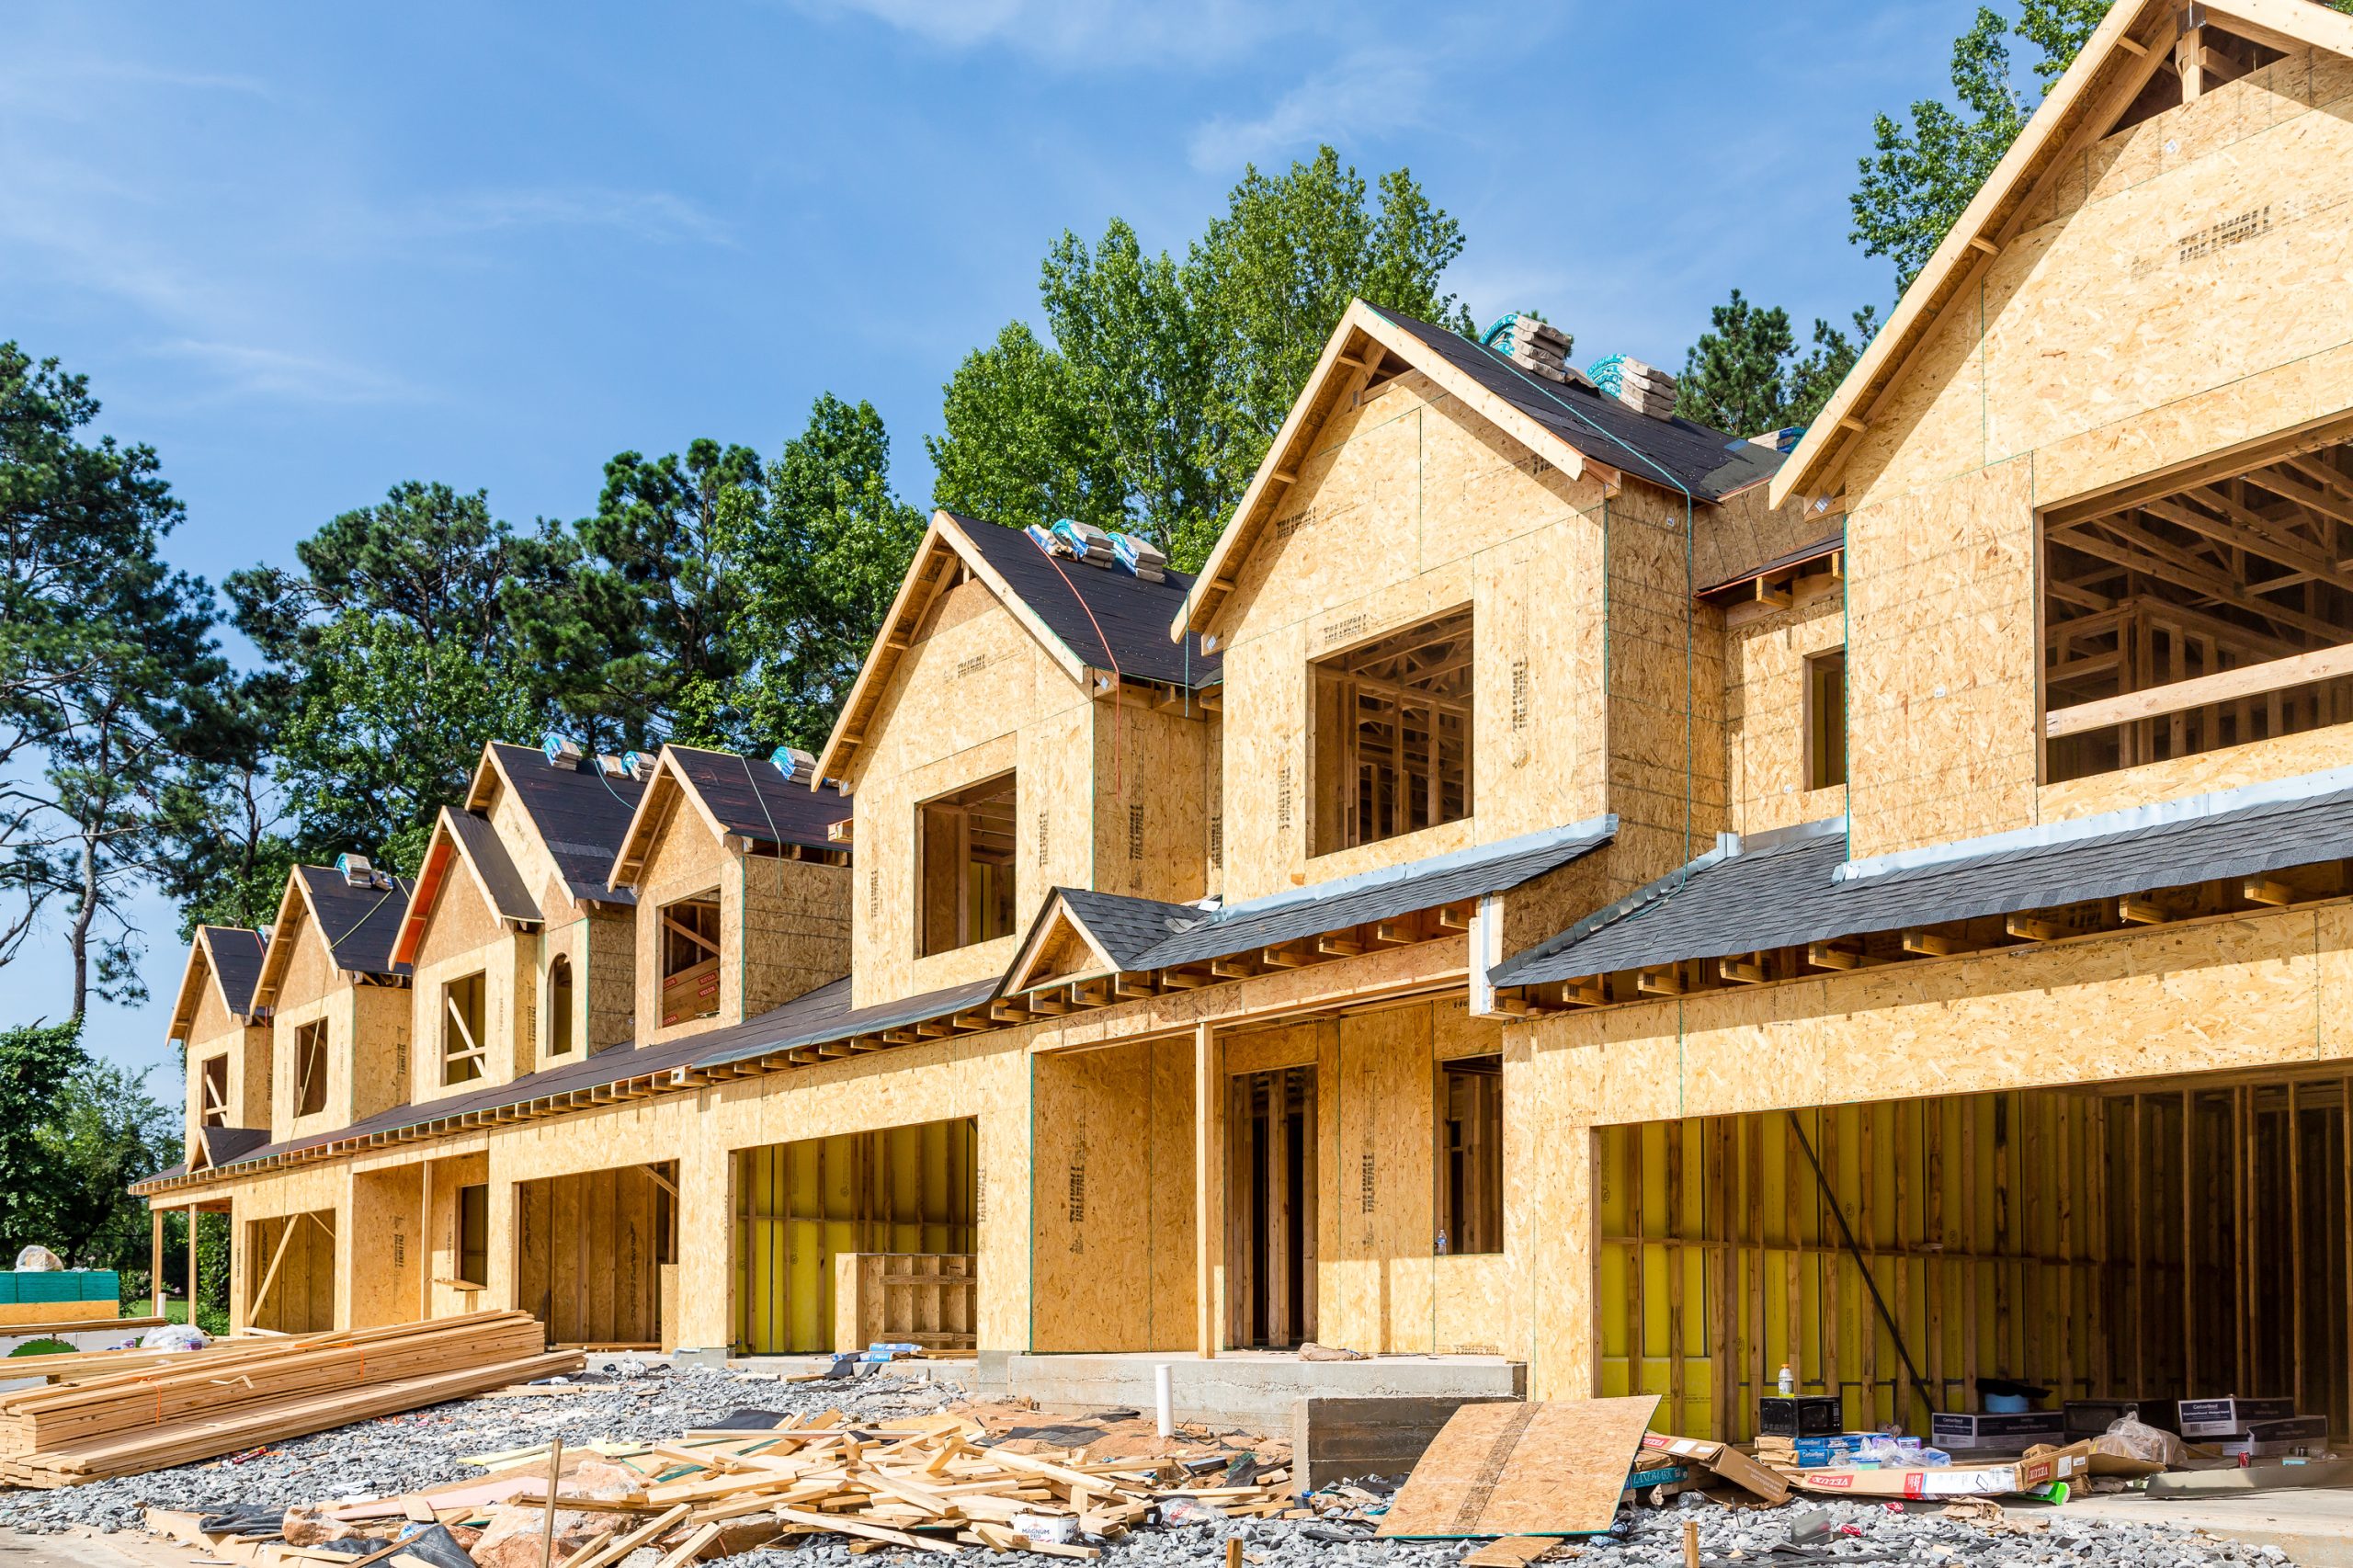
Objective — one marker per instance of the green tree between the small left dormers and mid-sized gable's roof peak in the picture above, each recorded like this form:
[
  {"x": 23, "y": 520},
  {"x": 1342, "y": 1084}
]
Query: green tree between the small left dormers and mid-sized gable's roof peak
[{"x": 822, "y": 552}]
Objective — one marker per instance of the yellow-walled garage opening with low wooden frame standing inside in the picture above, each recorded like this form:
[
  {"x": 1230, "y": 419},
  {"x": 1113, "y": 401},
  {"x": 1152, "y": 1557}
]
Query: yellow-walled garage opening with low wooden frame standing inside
[{"x": 858, "y": 1237}]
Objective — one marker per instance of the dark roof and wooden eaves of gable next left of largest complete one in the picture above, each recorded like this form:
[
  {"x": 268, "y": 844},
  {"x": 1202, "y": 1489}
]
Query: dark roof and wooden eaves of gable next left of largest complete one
[{"x": 1086, "y": 618}]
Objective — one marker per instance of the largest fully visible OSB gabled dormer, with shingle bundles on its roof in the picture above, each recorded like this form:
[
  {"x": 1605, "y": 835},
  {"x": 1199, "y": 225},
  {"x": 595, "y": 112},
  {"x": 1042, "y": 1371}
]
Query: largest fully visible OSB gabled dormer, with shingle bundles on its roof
[{"x": 1458, "y": 606}]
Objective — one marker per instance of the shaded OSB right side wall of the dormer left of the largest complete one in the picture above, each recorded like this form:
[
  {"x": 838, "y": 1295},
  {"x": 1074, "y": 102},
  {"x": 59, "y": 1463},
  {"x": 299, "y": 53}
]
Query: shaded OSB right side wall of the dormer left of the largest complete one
[{"x": 1149, "y": 802}]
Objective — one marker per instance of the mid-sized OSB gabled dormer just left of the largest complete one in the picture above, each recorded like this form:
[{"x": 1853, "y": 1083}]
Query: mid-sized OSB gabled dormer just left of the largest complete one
[{"x": 1020, "y": 724}]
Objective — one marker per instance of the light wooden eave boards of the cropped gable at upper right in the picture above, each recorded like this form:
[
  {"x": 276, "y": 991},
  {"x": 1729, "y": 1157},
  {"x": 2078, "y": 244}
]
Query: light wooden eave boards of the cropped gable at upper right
[{"x": 2121, "y": 58}]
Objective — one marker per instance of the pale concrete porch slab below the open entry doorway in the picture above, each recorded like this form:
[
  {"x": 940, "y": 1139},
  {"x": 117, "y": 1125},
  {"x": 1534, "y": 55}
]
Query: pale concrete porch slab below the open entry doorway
[{"x": 1255, "y": 1390}]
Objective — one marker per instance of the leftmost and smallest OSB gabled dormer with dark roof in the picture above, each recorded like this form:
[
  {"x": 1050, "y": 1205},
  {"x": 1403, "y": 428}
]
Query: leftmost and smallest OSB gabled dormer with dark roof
[{"x": 227, "y": 1047}]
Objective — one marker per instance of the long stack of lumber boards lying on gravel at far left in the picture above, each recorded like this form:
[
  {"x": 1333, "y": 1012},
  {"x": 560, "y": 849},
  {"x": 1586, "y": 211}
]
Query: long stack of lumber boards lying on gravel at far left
[{"x": 204, "y": 1404}]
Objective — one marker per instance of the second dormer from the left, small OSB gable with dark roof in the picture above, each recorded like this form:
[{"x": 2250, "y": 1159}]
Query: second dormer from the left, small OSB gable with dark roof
[{"x": 340, "y": 1004}]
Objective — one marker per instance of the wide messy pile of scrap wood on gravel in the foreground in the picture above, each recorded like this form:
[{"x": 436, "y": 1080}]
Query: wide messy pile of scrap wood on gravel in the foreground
[{"x": 921, "y": 1484}]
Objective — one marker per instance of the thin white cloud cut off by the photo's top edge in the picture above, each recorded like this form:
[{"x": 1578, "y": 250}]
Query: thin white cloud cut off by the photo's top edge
[{"x": 1084, "y": 32}]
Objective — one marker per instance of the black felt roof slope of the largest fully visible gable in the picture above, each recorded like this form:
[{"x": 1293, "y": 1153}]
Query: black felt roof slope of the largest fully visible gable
[{"x": 1712, "y": 465}]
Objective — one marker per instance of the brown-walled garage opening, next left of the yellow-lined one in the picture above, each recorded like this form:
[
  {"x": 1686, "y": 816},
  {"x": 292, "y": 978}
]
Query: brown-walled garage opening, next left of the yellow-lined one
[{"x": 596, "y": 1256}]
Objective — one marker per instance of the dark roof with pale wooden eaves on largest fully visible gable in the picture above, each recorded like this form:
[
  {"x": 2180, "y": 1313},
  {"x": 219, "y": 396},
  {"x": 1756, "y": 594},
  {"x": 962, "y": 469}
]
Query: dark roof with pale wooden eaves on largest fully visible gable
[{"x": 1573, "y": 427}]
